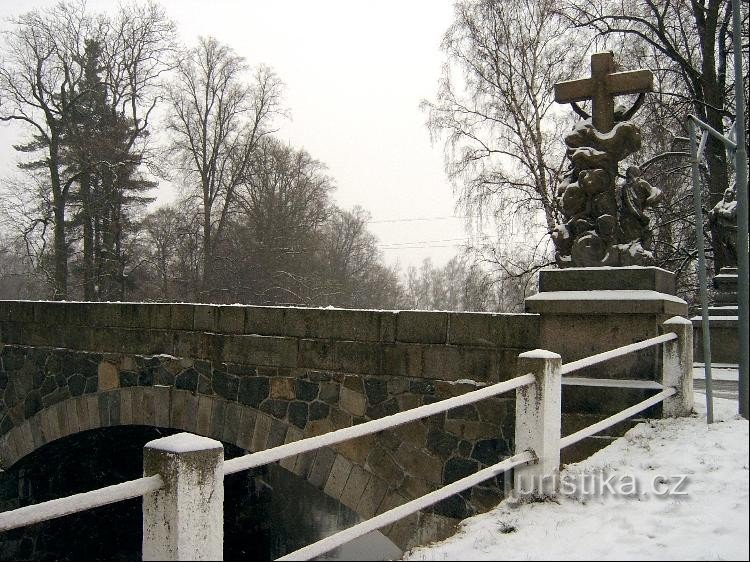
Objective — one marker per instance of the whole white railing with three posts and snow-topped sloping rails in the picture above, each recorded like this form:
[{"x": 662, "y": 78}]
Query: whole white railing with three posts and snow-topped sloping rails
[{"x": 192, "y": 468}]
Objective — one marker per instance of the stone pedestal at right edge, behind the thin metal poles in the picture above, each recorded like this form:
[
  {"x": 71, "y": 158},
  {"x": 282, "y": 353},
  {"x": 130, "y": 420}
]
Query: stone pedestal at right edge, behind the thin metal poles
[{"x": 722, "y": 321}]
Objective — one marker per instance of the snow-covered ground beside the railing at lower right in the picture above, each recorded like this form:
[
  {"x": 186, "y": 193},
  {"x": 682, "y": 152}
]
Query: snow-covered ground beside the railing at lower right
[{"x": 677, "y": 490}]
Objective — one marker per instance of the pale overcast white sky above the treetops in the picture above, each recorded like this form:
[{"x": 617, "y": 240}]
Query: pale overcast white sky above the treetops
[{"x": 355, "y": 73}]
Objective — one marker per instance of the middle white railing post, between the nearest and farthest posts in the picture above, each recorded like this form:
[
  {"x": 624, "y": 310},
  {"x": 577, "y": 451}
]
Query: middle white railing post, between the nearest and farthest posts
[{"x": 538, "y": 423}]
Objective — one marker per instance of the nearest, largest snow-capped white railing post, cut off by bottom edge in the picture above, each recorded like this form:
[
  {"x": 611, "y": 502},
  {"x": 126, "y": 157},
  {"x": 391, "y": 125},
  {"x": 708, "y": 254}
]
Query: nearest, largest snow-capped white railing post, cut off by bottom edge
[{"x": 184, "y": 520}]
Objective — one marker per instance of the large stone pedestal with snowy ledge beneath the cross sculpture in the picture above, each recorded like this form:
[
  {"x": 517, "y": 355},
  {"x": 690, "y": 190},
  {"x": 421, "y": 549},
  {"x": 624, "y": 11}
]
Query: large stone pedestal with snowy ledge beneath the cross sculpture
[{"x": 584, "y": 311}]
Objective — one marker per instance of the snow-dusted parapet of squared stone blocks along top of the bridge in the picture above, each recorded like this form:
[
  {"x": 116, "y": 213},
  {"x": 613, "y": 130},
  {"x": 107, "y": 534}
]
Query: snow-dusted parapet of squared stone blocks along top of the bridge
[{"x": 434, "y": 345}]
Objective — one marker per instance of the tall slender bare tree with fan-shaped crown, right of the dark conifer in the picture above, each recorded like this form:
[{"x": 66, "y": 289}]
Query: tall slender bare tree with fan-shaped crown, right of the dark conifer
[{"x": 216, "y": 121}]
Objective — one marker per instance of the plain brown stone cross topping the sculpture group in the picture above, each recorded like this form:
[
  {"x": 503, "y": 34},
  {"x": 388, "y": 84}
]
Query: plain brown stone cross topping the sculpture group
[{"x": 602, "y": 88}]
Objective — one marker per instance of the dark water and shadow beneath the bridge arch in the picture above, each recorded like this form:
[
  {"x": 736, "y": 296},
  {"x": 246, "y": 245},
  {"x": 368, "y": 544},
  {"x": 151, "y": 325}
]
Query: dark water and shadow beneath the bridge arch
[{"x": 267, "y": 513}]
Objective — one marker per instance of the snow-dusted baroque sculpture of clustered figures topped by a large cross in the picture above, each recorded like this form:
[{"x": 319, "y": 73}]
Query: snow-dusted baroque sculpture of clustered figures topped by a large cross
[{"x": 604, "y": 219}]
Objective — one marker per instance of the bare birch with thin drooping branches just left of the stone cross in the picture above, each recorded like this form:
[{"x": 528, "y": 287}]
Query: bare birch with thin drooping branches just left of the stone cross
[{"x": 502, "y": 140}]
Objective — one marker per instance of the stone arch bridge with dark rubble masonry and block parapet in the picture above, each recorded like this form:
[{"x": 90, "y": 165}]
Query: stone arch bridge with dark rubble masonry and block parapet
[{"x": 258, "y": 377}]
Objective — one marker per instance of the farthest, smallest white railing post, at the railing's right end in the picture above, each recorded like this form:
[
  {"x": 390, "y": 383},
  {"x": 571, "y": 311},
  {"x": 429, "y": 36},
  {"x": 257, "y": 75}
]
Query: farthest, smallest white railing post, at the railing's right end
[{"x": 677, "y": 367}]
